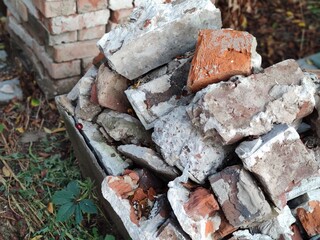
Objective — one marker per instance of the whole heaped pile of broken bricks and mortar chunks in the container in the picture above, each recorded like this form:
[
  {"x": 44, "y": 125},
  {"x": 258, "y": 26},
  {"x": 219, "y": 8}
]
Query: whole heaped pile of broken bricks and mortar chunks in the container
[{"x": 198, "y": 141}]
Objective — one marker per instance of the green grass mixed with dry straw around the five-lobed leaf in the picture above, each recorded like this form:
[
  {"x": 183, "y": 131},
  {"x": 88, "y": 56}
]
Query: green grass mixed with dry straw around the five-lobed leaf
[{"x": 31, "y": 180}]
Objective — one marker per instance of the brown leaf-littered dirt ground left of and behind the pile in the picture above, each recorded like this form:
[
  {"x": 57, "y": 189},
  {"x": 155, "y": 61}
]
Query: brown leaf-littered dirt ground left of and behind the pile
[{"x": 284, "y": 29}]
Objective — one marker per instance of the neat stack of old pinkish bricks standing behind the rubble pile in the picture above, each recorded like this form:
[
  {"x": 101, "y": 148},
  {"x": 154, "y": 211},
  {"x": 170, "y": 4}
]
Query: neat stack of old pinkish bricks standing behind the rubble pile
[{"x": 60, "y": 36}]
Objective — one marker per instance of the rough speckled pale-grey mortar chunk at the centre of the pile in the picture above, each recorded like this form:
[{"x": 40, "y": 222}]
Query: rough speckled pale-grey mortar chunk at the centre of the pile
[{"x": 183, "y": 146}]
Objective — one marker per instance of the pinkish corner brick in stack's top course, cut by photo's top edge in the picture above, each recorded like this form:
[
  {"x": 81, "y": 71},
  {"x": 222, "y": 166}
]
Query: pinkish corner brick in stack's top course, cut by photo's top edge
[{"x": 55, "y": 8}]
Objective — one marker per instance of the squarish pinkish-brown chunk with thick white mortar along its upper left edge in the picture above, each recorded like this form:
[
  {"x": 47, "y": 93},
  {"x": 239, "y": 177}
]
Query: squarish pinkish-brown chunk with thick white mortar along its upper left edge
[{"x": 280, "y": 162}]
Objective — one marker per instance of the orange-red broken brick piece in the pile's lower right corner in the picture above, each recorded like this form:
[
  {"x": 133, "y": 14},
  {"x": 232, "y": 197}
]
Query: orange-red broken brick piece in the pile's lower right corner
[{"x": 310, "y": 218}]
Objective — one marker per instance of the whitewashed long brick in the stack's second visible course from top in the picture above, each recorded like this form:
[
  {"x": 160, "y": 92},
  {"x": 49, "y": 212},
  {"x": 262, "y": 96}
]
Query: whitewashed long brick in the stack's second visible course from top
[{"x": 62, "y": 24}]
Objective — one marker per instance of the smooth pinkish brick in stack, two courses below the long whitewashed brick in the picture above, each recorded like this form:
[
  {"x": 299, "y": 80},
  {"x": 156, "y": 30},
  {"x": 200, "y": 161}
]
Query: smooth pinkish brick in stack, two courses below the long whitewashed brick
[{"x": 76, "y": 50}]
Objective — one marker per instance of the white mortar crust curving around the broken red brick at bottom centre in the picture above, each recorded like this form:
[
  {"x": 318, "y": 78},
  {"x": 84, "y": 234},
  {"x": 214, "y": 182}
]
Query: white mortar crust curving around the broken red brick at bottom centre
[{"x": 178, "y": 196}]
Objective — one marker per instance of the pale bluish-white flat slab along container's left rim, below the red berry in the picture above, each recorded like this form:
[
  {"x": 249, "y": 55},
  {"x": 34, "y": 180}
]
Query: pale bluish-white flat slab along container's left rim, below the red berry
[{"x": 107, "y": 154}]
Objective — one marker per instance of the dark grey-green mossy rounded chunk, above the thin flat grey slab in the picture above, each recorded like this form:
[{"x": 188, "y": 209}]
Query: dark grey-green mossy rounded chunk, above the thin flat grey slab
[{"x": 123, "y": 127}]
